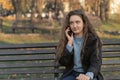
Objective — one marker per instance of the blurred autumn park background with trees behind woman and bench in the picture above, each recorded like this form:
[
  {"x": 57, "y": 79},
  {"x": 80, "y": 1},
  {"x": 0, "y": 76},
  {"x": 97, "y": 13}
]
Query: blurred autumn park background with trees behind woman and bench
[{"x": 34, "y": 21}]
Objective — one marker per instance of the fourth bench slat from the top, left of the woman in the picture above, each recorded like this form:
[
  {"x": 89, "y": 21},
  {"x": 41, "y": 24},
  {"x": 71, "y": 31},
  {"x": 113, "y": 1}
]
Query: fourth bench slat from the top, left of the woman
[{"x": 27, "y": 65}]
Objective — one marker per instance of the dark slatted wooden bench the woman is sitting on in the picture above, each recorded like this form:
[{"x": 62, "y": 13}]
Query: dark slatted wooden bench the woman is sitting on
[{"x": 36, "y": 61}]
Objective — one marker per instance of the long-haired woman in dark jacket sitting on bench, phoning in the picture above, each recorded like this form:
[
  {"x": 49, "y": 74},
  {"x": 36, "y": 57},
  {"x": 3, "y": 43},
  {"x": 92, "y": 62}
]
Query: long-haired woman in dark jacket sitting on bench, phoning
[{"x": 79, "y": 49}]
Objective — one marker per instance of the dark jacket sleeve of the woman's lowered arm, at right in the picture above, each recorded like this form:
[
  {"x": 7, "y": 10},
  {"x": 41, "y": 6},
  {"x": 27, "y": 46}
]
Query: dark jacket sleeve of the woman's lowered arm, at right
[{"x": 96, "y": 59}]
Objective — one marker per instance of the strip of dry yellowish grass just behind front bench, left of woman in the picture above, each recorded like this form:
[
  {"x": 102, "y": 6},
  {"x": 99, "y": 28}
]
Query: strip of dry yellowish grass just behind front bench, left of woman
[{"x": 25, "y": 38}]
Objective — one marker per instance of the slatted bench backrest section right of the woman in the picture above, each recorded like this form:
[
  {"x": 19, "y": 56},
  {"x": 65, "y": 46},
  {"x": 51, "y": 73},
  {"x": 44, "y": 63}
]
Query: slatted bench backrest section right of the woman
[{"x": 111, "y": 60}]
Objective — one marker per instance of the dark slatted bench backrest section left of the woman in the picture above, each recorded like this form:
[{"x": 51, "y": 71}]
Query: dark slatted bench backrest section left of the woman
[{"x": 27, "y": 61}]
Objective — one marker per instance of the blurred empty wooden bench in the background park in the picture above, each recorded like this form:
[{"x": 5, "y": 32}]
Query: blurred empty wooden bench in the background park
[{"x": 43, "y": 25}]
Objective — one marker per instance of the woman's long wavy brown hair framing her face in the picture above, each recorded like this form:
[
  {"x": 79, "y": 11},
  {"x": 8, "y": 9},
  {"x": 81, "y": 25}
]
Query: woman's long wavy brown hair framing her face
[{"x": 88, "y": 28}]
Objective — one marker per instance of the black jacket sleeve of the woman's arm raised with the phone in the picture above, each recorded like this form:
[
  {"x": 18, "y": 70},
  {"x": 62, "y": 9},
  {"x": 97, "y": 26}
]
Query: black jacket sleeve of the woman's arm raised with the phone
[{"x": 66, "y": 58}]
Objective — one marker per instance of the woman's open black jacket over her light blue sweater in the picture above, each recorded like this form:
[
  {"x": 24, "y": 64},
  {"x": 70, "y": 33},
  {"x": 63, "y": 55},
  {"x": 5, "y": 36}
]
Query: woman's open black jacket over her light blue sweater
[{"x": 91, "y": 59}]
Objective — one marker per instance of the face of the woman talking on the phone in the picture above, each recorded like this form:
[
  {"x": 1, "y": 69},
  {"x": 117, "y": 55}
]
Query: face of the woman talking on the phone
[{"x": 76, "y": 25}]
